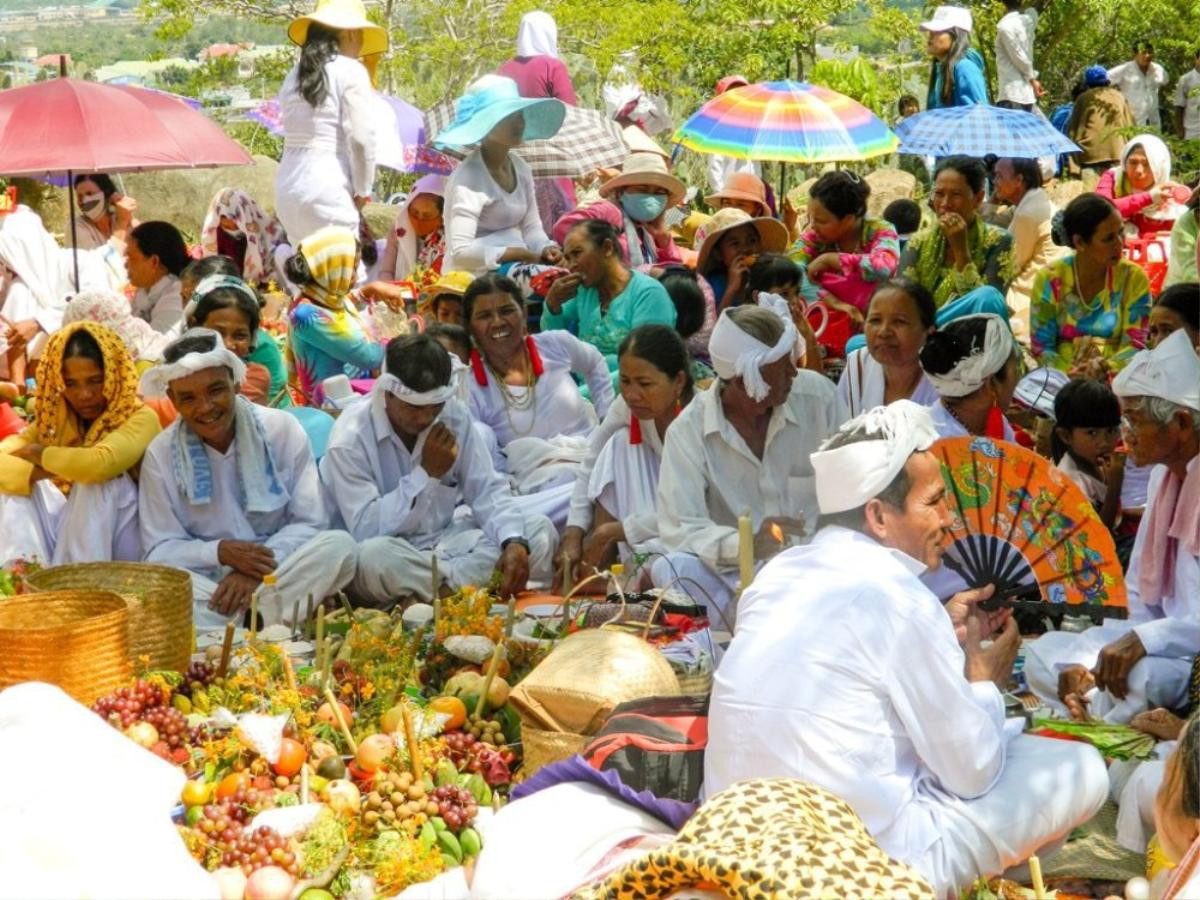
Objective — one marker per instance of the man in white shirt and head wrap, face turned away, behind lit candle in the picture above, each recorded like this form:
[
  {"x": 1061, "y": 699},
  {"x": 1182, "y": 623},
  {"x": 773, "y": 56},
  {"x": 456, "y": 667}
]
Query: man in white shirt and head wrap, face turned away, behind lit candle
[{"x": 742, "y": 446}]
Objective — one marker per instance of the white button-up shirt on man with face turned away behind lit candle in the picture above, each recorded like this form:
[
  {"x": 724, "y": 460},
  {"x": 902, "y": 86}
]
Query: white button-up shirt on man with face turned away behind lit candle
[{"x": 710, "y": 476}]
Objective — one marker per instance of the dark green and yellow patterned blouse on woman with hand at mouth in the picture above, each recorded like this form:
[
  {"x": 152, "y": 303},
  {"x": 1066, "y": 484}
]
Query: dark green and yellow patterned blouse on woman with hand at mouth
[{"x": 992, "y": 262}]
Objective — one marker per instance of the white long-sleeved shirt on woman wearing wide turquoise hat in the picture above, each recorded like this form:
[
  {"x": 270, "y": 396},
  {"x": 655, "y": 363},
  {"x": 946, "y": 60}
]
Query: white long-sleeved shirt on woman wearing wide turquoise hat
[{"x": 483, "y": 220}]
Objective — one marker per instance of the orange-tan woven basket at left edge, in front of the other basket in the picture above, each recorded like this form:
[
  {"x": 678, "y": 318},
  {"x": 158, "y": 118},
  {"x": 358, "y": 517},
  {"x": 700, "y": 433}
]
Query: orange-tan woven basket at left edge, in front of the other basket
[{"x": 79, "y": 640}]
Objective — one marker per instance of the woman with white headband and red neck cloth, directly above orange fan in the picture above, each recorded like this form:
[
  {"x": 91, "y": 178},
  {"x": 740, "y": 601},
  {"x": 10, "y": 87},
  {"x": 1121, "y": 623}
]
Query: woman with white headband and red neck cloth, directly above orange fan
[{"x": 974, "y": 364}]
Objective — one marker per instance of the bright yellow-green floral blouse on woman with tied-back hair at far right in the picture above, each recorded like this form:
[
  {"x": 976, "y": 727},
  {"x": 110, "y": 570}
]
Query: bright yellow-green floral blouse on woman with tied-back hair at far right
[{"x": 1114, "y": 321}]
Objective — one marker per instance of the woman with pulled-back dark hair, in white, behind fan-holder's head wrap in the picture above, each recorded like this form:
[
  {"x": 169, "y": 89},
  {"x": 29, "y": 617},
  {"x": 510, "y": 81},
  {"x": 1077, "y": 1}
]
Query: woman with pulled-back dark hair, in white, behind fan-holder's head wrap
[{"x": 899, "y": 321}]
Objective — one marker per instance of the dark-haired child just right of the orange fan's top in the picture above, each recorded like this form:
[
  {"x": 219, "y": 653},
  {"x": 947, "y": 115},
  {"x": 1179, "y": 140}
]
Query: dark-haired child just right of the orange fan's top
[{"x": 1088, "y": 431}]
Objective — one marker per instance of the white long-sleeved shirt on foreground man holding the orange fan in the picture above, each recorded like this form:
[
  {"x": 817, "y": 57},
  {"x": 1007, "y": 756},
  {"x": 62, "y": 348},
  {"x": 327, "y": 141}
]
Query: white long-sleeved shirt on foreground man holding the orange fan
[{"x": 845, "y": 673}]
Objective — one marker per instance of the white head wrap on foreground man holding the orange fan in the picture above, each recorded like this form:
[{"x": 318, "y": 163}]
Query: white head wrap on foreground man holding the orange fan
[{"x": 850, "y": 476}]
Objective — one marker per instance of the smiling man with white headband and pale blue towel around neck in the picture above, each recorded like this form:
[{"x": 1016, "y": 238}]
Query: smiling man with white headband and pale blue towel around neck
[{"x": 231, "y": 493}]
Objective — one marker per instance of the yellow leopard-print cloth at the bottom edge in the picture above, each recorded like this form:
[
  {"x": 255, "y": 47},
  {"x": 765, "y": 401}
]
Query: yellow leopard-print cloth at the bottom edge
[{"x": 767, "y": 838}]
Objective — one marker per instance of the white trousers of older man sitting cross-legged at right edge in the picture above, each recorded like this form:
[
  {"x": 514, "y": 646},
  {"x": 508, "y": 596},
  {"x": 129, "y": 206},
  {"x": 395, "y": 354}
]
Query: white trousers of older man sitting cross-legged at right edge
[{"x": 1154, "y": 681}]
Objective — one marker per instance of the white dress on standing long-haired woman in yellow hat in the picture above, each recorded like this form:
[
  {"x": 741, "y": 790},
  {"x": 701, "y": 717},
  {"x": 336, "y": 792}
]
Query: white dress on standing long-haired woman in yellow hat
[{"x": 328, "y": 152}]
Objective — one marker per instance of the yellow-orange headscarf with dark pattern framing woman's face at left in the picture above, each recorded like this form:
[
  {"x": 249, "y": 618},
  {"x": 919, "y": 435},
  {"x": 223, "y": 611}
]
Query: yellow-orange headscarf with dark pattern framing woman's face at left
[{"x": 57, "y": 423}]
